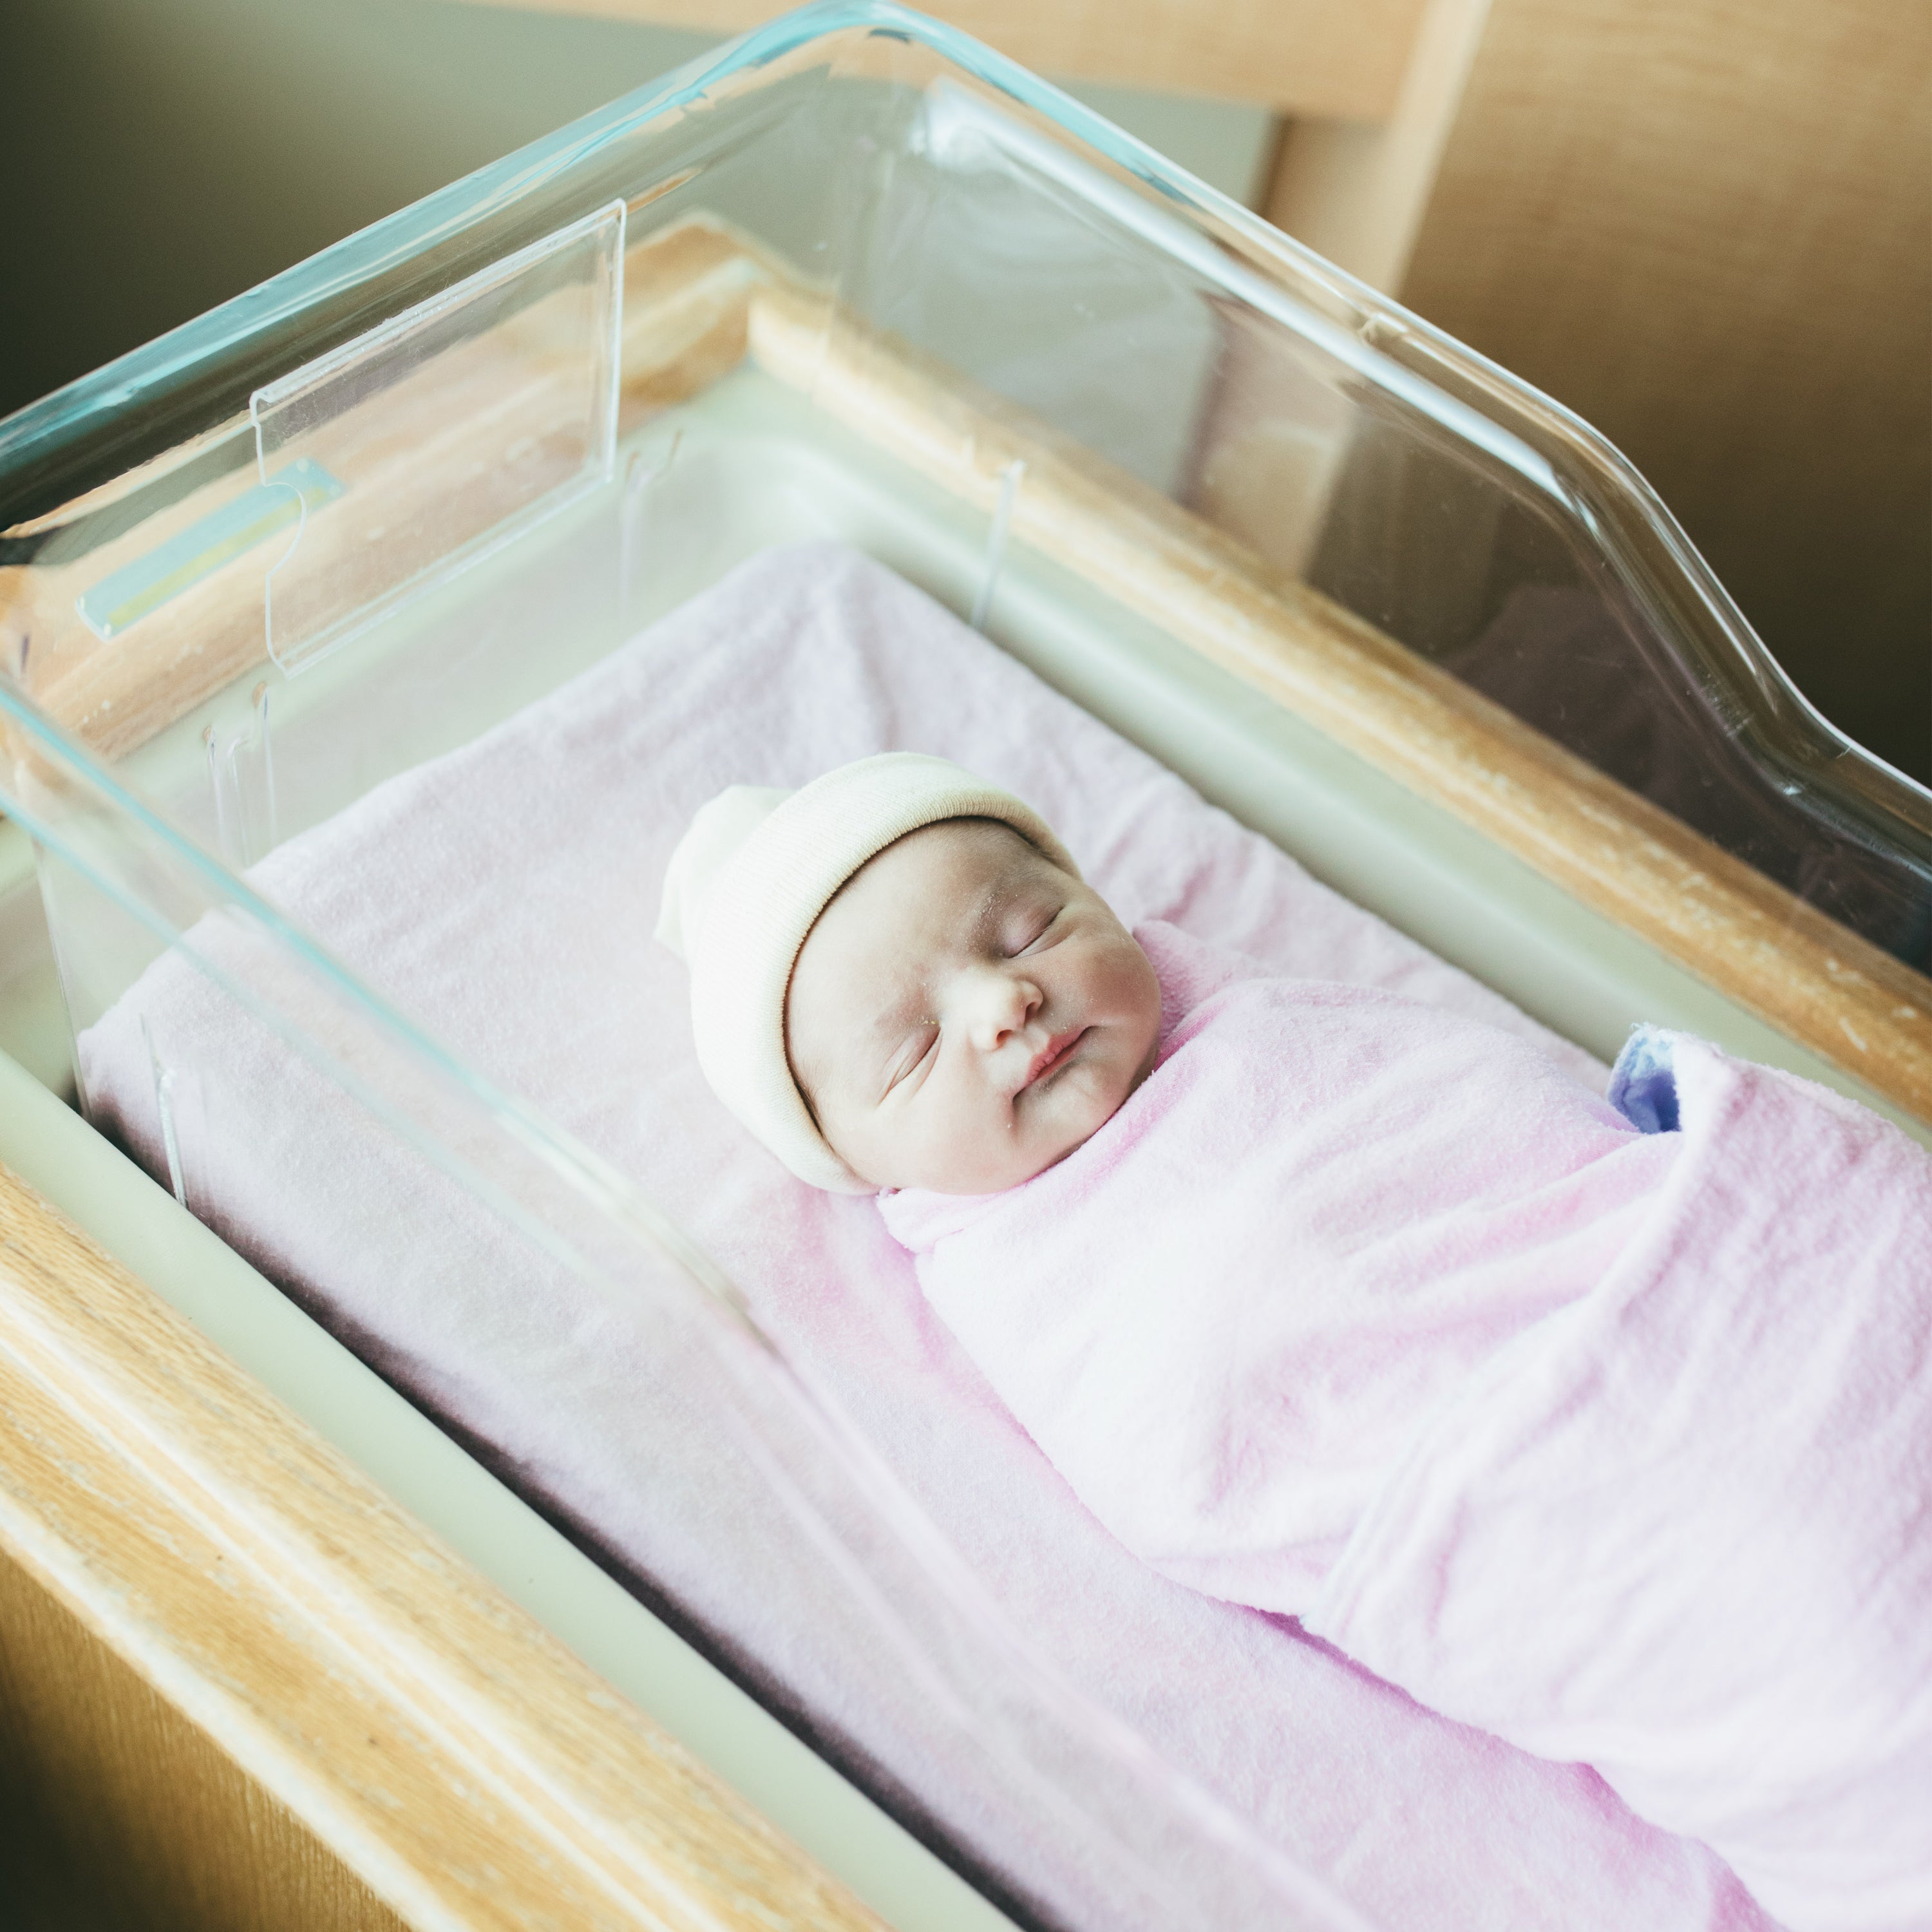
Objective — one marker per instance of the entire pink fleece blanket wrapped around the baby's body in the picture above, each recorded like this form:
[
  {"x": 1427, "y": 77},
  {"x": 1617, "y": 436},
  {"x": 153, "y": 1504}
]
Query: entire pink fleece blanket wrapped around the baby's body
[{"x": 1616, "y": 1444}]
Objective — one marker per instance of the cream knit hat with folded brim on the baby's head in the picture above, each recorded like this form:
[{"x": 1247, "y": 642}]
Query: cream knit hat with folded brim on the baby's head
[{"x": 754, "y": 870}]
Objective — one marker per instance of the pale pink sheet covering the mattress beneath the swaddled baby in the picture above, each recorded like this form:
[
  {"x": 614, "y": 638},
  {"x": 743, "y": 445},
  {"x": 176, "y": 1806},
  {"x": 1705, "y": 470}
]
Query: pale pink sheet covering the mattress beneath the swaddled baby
[{"x": 507, "y": 895}]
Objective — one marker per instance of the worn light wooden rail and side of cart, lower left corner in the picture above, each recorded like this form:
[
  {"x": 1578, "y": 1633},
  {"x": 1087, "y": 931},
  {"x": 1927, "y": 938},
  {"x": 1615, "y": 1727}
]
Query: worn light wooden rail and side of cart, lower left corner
[{"x": 327, "y": 1697}]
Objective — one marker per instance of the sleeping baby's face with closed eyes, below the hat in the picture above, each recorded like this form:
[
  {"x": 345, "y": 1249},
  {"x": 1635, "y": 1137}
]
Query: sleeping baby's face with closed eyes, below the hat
[{"x": 965, "y": 1013}]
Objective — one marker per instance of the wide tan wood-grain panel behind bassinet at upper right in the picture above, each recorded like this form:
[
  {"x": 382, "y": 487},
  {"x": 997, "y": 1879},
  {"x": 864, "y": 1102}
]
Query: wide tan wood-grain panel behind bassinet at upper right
[{"x": 1707, "y": 227}]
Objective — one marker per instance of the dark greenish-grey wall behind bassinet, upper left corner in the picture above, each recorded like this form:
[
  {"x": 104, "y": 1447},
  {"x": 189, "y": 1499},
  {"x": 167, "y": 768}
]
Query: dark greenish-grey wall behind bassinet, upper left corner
[{"x": 163, "y": 157}]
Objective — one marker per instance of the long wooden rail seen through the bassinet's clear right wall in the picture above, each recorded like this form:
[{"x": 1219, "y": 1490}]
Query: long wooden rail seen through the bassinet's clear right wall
[{"x": 1728, "y": 924}]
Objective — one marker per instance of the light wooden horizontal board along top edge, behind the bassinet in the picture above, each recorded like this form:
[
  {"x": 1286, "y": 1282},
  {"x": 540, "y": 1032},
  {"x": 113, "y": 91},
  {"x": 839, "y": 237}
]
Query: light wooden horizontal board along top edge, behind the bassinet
[{"x": 1292, "y": 55}]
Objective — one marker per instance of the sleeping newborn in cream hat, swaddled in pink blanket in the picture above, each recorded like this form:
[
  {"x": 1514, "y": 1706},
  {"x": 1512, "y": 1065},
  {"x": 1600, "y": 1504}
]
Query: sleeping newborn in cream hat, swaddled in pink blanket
[{"x": 1601, "y": 1423}]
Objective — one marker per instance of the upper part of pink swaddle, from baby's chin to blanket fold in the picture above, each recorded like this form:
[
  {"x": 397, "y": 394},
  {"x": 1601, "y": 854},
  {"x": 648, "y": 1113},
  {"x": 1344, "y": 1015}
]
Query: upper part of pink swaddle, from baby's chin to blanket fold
[{"x": 1228, "y": 1313}]
